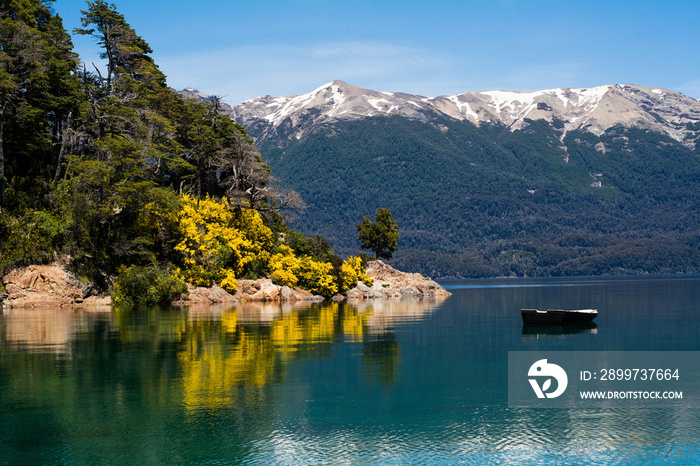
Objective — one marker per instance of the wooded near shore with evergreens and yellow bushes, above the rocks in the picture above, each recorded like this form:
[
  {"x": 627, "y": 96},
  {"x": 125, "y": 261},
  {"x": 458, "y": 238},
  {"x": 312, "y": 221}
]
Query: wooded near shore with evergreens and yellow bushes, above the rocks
[{"x": 135, "y": 186}]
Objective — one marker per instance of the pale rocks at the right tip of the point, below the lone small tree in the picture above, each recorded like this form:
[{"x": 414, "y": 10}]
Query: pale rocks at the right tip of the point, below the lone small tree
[{"x": 391, "y": 283}]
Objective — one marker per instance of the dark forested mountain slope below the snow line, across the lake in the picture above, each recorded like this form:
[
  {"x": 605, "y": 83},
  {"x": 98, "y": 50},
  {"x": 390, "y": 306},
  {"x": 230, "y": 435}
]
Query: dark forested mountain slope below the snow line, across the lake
[{"x": 488, "y": 201}]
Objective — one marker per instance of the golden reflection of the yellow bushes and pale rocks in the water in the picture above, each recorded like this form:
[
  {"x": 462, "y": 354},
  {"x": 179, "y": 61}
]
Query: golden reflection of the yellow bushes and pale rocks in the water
[{"x": 224, "y": 353}]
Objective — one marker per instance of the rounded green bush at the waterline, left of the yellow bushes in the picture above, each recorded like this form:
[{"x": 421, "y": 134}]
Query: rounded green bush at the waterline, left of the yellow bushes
[{"x": 137, "y": 285}]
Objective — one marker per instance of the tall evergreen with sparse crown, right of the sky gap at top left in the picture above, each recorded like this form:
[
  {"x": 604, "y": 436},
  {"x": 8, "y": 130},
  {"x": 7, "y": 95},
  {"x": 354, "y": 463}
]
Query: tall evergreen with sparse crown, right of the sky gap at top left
[{"x": 115, "y": 180}]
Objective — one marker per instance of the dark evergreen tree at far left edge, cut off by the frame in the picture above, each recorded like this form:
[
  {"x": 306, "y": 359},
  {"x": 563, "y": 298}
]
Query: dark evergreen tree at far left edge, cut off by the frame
[{"x": 38, "y": 93}]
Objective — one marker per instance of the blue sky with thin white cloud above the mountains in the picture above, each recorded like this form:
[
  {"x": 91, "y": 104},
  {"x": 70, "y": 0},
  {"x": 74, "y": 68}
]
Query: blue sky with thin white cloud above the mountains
[{"x": 244, "y": 49}]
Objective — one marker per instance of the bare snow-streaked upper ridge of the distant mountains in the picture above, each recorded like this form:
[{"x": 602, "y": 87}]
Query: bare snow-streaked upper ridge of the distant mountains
[{"x": 594, "y": 109}]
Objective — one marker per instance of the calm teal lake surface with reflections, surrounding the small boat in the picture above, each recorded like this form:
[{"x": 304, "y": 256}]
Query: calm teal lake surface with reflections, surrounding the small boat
[{"x": 386, "y": 382}]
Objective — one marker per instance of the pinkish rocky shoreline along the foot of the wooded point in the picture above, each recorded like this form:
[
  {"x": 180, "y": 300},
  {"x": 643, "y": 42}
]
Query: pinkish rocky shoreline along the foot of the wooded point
[{"x": 53, "y": 285}]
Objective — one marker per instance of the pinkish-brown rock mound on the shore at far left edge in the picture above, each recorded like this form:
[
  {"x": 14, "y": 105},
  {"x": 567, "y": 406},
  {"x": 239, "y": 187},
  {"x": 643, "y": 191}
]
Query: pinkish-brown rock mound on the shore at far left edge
[{"x": 47, "y": 285}]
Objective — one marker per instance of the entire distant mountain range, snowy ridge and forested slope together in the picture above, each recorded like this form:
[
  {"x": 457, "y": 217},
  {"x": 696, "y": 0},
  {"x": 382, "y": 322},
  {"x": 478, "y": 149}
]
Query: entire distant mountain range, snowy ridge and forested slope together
[{"x": 601, "y": 180}]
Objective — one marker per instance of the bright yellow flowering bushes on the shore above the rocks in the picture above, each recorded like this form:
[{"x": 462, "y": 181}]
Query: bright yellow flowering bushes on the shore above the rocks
[{"x": 220, "y": 243}]
